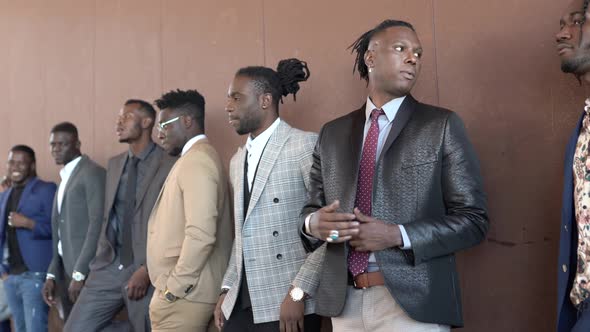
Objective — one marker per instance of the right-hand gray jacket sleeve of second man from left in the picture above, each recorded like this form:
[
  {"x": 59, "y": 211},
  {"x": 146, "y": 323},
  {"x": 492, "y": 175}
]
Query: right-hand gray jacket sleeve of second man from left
[{"x": 94, "y": 189}]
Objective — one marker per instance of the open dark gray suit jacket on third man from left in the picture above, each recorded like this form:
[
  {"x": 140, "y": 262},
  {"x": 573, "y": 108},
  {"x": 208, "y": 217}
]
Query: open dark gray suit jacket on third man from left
[{"x": 146, "y": 195}]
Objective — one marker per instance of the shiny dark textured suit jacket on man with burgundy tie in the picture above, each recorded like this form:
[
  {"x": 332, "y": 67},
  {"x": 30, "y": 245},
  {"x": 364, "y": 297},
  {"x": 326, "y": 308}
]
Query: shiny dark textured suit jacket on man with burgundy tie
[{"x": 426, "y": 178}]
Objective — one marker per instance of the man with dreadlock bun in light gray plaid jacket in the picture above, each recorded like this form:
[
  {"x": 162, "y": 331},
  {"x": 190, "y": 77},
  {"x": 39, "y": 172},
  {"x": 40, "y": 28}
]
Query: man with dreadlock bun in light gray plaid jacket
[{"x": 270, "y": 278}]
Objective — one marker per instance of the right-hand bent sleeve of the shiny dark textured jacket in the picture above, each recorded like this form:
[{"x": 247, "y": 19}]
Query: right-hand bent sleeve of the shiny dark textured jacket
[{"x": 466, "y": 222}]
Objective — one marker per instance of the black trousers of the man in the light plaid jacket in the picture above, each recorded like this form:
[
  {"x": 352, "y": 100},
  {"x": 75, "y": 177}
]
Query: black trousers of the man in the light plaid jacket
[{"x": 242, "y": 320}]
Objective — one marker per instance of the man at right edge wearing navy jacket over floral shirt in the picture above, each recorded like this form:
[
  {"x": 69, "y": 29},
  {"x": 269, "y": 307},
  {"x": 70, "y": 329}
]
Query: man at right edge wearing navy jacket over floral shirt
[{"x": 573, "y": 279}]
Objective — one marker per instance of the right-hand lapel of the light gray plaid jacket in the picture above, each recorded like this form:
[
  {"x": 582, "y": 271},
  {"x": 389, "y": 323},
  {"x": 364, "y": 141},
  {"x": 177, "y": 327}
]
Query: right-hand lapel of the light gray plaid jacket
[{"x": 267, "y": 161}]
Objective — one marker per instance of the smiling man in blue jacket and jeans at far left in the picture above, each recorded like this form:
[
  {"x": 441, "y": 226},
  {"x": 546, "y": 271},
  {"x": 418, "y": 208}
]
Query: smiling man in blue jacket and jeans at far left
[{"x": 26, "y": 233}]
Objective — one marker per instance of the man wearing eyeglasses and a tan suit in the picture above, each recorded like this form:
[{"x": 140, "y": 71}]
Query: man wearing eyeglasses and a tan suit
[{"x": 189, "y": 235}]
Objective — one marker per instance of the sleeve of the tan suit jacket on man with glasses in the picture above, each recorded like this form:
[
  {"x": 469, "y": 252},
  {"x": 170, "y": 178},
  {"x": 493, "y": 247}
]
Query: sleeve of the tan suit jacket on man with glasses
[{"x": 199, "y": 186}]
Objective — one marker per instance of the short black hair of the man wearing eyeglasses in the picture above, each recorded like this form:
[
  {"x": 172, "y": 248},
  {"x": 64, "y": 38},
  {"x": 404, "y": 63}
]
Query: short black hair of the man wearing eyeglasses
[{"x": 189, "y": 102}]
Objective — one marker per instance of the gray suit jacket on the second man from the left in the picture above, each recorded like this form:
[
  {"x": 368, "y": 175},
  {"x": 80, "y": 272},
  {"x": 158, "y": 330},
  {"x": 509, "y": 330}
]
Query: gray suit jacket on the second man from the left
[{"x": 80, "y": 219}]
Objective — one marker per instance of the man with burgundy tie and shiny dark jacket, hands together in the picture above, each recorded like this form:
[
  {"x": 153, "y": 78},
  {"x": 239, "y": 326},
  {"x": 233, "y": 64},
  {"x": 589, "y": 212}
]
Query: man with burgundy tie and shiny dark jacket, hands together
[{"x": 395, "y": 192}]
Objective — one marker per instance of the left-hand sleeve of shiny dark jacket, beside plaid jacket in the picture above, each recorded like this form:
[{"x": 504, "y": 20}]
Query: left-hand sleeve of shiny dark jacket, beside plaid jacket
[{"x": 316, "y": 199}]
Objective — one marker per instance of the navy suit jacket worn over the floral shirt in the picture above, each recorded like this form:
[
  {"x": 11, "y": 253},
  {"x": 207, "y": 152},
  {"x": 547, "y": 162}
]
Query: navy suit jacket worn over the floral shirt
[{"x": 568, "y": 243}]
